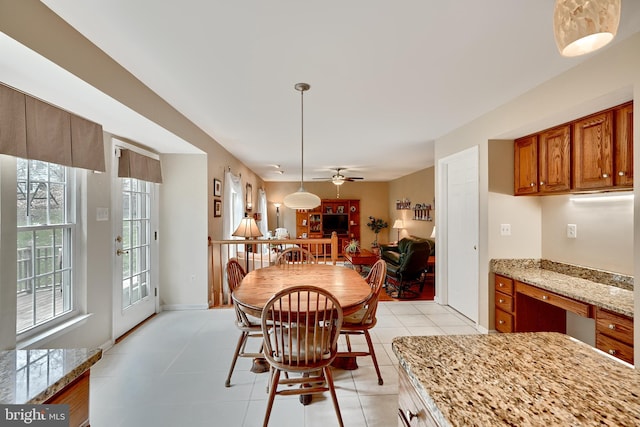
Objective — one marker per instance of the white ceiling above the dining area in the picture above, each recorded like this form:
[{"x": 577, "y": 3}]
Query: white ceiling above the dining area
[{"x": 387, "y": 77}]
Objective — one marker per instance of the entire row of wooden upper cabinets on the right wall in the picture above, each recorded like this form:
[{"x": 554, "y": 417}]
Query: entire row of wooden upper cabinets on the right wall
[{"x": 591, "y": 153}]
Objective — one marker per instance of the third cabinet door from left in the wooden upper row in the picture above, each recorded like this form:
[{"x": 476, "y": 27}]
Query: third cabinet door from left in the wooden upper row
[{"x": 593, "y": 152}]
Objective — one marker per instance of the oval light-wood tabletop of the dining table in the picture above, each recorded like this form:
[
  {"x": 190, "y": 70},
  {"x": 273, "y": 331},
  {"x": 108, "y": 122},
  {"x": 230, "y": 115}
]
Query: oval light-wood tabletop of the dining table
[{"x": 349, "y": 287}]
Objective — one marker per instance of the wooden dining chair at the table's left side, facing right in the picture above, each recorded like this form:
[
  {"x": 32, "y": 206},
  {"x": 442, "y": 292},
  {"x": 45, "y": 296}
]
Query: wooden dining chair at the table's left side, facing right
[{"x": 248, "y": 328}]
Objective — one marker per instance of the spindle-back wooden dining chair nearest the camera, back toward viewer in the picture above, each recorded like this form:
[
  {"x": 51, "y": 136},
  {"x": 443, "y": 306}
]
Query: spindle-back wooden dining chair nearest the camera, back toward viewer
[{"x": 301, "y": 326}]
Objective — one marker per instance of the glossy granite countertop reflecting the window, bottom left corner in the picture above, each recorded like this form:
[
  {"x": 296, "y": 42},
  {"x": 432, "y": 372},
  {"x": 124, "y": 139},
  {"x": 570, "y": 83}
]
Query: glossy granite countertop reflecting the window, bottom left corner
[{"x": 33, "y": 376}]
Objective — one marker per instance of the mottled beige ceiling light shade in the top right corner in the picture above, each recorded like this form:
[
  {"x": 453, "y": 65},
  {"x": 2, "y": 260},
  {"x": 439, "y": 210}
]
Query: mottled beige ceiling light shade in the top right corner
[{"x": 582, "y": 26}]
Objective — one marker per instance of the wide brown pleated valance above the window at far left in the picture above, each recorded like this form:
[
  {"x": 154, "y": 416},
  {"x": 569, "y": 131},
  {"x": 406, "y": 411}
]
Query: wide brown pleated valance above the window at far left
[{"x": 33, "y": 129}]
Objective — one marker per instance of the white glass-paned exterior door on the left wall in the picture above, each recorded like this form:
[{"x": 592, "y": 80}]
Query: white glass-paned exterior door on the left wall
[{"x": 135, "y": 252}]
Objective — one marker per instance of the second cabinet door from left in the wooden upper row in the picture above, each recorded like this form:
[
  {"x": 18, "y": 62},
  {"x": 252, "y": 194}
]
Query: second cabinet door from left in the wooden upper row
[{"x": 554, "y": 162}]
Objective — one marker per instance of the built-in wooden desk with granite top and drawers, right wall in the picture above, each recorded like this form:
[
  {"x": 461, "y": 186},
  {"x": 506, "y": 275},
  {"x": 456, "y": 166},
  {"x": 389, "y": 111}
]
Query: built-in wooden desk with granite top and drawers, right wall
[{"x": 535, "y": 295}]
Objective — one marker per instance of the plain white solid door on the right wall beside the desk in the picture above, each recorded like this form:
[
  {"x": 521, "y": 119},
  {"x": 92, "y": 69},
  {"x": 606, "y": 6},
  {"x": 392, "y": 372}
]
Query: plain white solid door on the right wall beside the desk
[{"x": 462, "y": 232}]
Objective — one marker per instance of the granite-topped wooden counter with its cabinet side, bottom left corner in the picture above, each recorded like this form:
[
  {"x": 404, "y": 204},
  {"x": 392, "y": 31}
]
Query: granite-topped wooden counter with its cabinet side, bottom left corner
[{"x": 54, "y": 376}]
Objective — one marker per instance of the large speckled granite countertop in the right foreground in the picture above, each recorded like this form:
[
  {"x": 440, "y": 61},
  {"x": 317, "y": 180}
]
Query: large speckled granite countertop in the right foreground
[{"x": 516, "y": 379}]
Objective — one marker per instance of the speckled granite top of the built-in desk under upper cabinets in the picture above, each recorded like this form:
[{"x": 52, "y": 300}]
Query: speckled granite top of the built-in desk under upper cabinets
[{"x": 571, "y": 282}]
